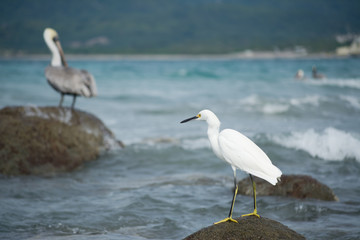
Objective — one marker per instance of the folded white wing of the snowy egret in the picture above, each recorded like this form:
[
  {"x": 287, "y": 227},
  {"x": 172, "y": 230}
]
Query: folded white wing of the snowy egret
[{"x": 244, "y": 154}]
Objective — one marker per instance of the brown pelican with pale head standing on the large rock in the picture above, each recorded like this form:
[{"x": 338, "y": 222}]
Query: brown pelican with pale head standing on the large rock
[{"x": 66, "y": 80}]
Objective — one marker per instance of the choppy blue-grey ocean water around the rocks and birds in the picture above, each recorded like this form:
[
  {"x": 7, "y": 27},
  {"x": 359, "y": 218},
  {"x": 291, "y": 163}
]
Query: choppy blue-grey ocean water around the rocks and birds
[{"x": 167, "y": 183}]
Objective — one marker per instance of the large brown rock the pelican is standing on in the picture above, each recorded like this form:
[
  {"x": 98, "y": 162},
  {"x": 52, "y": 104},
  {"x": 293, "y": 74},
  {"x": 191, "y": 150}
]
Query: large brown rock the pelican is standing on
[{"x": 45, "y": 140}]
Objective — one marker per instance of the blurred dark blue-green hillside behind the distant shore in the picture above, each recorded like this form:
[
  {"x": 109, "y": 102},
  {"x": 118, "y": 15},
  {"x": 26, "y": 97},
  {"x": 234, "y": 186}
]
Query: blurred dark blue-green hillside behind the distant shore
[{"x": 176, "y": 26}]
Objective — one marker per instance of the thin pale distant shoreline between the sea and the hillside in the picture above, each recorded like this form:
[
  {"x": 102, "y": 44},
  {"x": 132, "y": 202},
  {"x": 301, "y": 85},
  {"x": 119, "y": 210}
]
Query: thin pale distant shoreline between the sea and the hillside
[{"x": 160, "y": 57}]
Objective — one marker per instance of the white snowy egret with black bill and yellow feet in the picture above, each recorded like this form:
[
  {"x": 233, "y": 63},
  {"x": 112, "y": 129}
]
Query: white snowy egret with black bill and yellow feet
[{"x": 240, "y": 152}]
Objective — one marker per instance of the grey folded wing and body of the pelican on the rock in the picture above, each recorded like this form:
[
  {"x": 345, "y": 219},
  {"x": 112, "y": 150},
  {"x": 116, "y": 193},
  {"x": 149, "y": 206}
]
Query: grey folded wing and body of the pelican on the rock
[{"x": 71, "y": 81}]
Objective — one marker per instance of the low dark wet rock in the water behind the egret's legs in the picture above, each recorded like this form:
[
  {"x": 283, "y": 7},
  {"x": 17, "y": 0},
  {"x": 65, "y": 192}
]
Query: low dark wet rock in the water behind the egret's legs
[{"x": 297, "y": 186}]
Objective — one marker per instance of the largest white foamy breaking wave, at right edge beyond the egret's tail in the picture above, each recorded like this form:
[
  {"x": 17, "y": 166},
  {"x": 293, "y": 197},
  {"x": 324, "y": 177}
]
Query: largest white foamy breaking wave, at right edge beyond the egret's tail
[{"x": 331, "y": 144}]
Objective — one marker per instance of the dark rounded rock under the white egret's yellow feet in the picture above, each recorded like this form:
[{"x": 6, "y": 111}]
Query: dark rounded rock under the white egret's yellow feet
[{"x": 247, "y": 228}]
